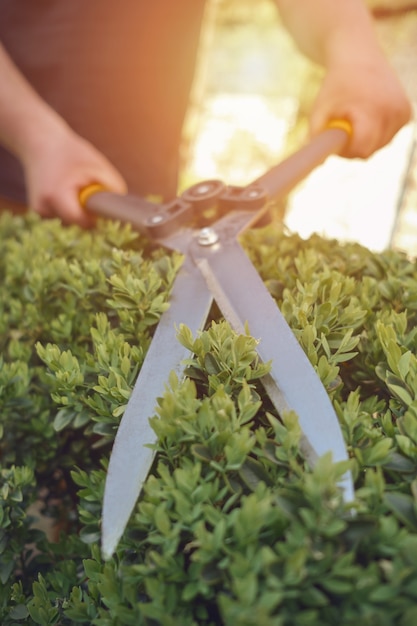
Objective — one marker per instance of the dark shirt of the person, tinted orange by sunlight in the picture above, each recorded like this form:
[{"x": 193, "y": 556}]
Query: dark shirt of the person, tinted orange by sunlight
[{"x": 118, "y": 72}]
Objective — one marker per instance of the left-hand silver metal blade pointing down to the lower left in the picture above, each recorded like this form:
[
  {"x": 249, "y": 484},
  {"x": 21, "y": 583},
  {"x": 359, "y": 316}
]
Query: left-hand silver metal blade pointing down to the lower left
[{"x": 131, "y": 459}]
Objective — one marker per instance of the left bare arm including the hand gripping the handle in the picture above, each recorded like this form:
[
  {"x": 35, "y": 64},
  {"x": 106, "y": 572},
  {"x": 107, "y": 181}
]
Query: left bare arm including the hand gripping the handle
[{"x": 57, "y": 162}]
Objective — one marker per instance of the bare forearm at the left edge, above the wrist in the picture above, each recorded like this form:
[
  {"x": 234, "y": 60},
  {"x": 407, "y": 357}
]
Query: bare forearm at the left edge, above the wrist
[{"x": 24, "y": 116}]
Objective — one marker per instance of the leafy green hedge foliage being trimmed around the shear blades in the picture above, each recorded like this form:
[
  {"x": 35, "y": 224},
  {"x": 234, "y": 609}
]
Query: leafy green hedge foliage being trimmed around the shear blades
[{"x": 233, "y": 527}]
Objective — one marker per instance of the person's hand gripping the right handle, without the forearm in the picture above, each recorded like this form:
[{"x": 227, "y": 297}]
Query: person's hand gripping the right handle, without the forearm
[{"x": 369, "y": 95}]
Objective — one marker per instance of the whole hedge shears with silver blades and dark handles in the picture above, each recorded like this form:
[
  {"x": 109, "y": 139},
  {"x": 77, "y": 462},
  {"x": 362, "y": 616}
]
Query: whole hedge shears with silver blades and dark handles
[{"x": 215, "y": 267}]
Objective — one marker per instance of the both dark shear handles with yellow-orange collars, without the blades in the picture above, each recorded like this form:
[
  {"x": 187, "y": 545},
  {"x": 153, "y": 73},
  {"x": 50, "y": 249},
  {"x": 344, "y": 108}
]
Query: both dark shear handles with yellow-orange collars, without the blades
[{"x": 161, "y": 220}]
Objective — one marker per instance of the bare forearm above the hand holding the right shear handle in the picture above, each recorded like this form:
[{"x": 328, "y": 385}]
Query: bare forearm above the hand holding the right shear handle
[{"x": 331, "y": 32}]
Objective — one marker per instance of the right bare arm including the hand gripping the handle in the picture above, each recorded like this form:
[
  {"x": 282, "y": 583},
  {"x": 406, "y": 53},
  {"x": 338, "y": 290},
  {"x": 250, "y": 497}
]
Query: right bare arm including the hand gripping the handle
[{"x": 359, "y": 84}]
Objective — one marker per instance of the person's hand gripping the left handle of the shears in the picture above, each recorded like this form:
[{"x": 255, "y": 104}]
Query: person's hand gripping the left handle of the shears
[{"x": 58, "y": 167}]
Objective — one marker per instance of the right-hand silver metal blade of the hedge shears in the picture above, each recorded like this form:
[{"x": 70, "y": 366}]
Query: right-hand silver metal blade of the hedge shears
[{"x": 292, "y": 383}]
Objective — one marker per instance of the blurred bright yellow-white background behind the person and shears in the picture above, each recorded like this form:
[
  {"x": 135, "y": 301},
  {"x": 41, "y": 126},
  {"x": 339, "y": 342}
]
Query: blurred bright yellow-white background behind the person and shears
[{"x": 249, "y": 107}]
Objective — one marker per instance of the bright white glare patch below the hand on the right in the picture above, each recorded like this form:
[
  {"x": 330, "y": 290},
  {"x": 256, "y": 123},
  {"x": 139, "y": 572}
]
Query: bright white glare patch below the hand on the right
[{"x": 354, "y": 200}]
